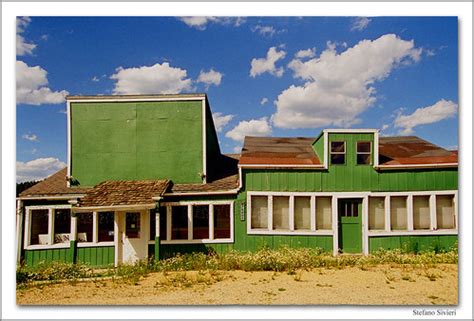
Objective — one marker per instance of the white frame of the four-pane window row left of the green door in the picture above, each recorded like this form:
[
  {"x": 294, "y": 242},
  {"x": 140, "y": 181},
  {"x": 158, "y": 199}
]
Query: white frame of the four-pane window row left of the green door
[{"x": 291, "y": 230}]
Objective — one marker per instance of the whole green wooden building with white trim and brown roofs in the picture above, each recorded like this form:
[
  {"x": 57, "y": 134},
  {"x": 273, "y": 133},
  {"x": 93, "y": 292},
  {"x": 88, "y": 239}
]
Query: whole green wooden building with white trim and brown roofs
[{"x": 146, "y": 177}]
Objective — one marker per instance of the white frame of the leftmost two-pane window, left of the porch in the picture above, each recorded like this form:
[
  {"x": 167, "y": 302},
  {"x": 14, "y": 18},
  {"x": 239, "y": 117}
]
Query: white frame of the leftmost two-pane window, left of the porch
[{"x": 27, "y": 237}]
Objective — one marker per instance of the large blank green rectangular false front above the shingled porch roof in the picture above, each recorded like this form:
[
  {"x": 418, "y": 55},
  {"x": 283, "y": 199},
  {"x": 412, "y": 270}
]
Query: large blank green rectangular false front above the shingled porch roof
[{"x": 136, "y": 140}]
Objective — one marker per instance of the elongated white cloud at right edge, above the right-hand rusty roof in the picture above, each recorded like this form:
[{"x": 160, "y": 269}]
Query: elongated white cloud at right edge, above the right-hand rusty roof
[{"x": 442, "y": 109}]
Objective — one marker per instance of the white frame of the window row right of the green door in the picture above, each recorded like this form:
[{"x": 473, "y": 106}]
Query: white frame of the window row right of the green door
[{"x": 433, "y": 230}]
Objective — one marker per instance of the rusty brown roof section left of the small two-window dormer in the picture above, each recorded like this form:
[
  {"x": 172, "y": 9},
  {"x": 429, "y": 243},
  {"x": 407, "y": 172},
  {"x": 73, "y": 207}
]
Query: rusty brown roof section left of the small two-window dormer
[{"x": 278, "y": 151}]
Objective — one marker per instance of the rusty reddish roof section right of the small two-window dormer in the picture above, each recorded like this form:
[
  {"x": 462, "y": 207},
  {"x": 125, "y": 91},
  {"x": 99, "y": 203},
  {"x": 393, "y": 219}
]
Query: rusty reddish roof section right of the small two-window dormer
[{"x": 412, "y": 150}]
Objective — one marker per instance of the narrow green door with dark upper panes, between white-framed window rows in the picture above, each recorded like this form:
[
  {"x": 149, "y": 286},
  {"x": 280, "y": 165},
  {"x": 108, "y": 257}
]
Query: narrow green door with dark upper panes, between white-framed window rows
[{"x": 350, "y": 225}]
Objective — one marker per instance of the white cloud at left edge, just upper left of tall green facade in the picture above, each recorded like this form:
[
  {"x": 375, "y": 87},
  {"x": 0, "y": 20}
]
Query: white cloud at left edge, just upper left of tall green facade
[{"x": 31, "y": 86}]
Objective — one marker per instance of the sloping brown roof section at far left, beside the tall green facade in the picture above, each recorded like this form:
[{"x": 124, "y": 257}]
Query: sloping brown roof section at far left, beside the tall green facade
[{"x": 54, "y": 185}]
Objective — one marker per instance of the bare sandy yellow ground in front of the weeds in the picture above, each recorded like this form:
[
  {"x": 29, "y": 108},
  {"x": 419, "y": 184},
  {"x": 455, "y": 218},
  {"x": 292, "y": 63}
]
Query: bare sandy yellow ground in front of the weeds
[{"x": 355, "y": 286}]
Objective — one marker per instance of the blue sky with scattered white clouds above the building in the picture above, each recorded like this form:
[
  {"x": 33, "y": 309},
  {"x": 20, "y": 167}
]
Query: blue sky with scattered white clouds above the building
[{"x": 279, "y": 76}]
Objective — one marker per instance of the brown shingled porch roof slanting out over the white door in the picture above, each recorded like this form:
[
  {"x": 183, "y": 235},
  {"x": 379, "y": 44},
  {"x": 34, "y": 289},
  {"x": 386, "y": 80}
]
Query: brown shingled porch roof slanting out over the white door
[{"x": 113, "y": 193}]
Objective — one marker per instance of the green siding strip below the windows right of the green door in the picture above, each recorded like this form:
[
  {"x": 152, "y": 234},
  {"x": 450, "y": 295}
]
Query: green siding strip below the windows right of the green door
[{"x": 413, "y": 243}]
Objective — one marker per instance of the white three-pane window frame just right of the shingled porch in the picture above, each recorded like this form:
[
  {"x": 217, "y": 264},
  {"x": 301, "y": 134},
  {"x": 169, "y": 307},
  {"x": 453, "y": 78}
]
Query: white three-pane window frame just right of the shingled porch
[{"x": 190, "y": 240}]
